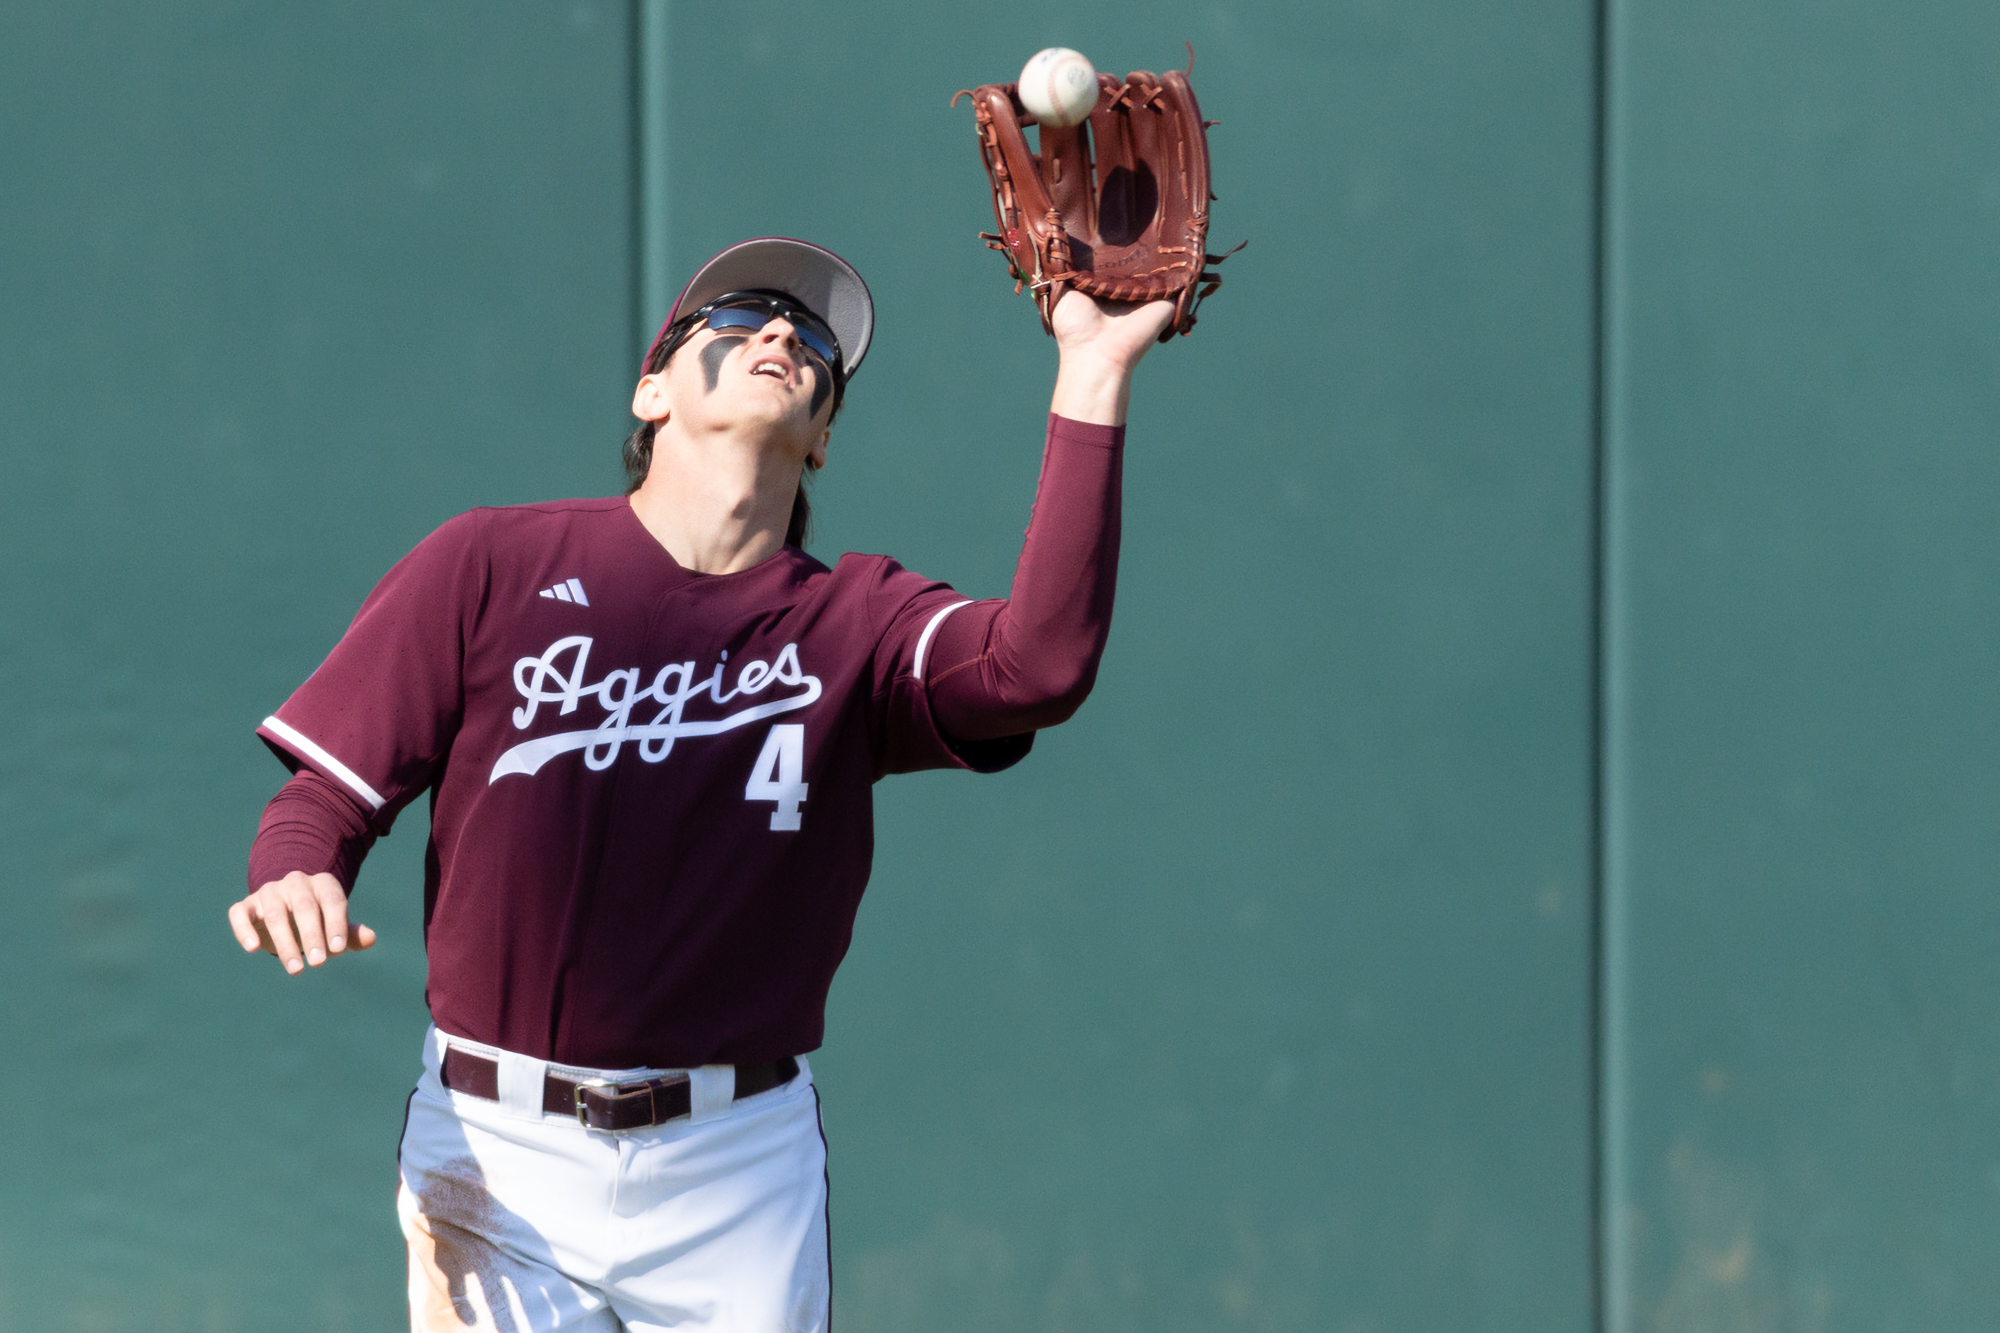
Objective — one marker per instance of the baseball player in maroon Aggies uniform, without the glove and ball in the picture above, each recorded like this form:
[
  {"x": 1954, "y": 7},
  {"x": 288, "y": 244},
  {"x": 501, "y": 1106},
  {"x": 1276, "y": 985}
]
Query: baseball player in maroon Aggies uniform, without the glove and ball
[{"x": 649, "y": 730}]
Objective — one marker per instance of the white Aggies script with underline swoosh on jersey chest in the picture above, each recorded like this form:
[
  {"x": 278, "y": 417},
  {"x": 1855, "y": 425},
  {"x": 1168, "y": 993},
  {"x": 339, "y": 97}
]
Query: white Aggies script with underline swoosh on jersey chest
[{"x": 545, "y": 682}]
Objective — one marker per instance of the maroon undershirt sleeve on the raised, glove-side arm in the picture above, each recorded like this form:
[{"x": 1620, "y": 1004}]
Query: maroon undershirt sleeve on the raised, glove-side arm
[{"x": 1009, "y": 668}]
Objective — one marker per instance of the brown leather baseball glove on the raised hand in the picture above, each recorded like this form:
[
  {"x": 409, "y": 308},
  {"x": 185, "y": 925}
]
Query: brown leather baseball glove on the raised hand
[{"x": 1115, "y": 207}]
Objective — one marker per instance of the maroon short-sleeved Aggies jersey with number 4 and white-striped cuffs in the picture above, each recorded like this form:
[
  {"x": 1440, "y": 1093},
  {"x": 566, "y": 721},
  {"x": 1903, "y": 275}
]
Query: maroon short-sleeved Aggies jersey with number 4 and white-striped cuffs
[{"x": 641, "y": 776}]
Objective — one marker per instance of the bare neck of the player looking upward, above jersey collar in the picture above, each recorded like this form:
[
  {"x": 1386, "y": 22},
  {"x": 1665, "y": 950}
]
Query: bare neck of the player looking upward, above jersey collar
[{"x": 719, "y": 501}]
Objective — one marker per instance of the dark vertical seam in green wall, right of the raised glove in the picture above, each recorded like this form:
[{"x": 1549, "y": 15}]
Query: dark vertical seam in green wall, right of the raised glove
[{"x": 1599, "y": 1172}]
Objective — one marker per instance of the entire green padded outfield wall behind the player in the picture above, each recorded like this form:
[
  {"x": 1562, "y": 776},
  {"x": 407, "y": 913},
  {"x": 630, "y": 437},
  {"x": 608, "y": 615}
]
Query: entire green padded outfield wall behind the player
[{"x": 1525, "y": 866}]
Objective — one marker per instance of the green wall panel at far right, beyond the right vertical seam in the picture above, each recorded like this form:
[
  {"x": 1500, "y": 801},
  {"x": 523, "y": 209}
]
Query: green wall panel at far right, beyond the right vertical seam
[{"x": 1803, "y": 517}]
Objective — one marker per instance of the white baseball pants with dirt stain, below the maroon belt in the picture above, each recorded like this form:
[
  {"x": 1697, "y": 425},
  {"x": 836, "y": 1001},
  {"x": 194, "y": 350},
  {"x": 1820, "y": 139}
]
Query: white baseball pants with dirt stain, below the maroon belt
[{"x": 525, "y": 1222}]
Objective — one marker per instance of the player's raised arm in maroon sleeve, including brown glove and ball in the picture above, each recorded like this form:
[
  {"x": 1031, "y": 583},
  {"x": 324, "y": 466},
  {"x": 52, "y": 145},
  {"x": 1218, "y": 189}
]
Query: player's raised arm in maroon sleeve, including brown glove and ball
[{"x": 1111, "y": 269}]
